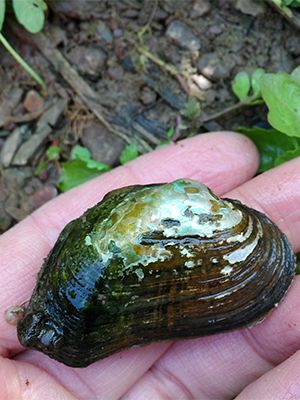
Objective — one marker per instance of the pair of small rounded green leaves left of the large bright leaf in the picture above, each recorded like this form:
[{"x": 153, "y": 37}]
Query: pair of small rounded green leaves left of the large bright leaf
[{"x": 247, "y": 87}]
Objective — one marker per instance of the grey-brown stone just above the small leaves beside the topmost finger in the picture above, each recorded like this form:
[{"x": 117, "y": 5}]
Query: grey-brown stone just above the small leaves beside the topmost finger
[{"x": 104, "y": 146}]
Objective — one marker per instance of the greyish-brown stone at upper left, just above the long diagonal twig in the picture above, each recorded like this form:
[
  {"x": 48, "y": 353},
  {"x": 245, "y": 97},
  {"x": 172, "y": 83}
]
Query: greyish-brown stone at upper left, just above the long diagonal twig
[{"x": 88, "y": 60}]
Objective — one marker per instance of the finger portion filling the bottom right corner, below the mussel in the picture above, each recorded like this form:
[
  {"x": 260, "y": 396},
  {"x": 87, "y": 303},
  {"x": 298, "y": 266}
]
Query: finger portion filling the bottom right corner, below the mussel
[{"x": 281, "y": 383}]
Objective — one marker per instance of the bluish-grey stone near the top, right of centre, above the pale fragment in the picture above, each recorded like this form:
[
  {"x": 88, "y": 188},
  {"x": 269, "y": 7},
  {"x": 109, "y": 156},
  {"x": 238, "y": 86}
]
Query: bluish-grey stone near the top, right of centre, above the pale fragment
[{"x": 183, "y": 36}]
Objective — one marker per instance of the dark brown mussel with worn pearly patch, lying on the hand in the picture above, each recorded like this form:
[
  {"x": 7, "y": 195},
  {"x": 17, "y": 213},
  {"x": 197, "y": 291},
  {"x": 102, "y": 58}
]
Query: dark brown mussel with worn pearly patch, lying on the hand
[{"x": 155, "y": 262}]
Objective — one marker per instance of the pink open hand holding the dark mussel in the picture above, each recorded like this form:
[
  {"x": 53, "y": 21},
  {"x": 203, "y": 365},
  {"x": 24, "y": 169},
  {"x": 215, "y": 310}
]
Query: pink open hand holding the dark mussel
[{"x": 262, "y": 362}]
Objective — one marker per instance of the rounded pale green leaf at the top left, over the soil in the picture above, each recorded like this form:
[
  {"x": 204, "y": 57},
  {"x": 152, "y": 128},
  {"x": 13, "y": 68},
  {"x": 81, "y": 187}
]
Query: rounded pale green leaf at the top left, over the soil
[{"x": 30, "y": 14}]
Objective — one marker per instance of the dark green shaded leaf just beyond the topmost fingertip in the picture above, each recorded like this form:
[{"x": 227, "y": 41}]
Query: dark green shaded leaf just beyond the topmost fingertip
[{"x": 274, "y": 147}]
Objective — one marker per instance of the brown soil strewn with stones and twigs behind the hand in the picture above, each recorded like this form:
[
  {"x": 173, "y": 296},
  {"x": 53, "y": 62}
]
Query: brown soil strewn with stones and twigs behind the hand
[{"x": 144, "y": 60}]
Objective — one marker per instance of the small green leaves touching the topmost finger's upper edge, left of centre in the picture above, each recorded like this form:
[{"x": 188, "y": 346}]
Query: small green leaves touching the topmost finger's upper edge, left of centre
[{"x": 79, "y": 169}]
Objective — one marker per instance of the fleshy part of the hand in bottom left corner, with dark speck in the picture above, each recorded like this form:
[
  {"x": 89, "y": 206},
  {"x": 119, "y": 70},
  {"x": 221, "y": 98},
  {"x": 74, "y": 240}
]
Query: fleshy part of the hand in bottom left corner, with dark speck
[{"x": 24, "y": 381}]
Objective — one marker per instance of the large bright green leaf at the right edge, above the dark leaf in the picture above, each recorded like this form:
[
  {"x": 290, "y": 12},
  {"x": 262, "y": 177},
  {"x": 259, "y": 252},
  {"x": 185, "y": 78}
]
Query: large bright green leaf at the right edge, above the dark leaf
[{"x": 282, "y": 95}]
